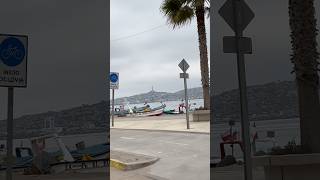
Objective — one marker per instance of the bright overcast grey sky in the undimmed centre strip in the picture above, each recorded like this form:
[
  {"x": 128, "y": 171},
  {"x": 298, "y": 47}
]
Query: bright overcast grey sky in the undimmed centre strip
[{"x": 151, "y": 58}]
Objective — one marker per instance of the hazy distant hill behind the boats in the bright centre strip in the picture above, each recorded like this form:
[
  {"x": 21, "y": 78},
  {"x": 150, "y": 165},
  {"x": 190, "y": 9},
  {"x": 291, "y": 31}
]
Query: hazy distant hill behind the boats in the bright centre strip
[{"x": 153, "y": 96}]
